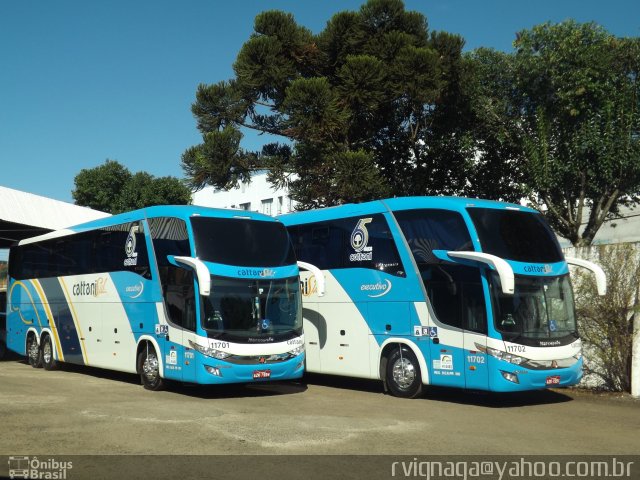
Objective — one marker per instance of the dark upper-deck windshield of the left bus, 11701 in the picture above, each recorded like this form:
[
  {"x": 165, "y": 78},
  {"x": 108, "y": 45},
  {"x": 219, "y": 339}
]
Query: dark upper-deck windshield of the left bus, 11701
[{"x": 242, "y": 242}]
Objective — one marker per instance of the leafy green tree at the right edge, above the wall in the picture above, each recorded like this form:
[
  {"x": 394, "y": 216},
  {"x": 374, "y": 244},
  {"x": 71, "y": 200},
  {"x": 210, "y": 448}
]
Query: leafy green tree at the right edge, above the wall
[{"x": 562, "y": 115}]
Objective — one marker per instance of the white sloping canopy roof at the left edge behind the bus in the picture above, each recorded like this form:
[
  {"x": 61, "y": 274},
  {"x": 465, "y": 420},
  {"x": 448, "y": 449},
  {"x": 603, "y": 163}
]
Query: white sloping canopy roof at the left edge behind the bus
[{"x": 25, "y": 215}]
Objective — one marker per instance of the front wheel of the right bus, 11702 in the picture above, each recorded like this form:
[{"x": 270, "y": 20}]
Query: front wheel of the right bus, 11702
[{"x": 401, "y": 370}]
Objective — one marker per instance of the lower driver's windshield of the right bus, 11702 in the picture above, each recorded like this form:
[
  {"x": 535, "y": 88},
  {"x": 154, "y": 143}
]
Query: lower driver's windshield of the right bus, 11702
[{"x": 541, "y": 308}]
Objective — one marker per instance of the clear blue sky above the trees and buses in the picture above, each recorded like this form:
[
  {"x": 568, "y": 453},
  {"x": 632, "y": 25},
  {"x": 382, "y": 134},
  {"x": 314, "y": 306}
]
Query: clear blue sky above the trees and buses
[{"x": 83, "y": 81}]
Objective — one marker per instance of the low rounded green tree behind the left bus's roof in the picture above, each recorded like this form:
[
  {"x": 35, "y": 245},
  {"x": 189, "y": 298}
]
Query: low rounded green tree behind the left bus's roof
[{"x": 112, "y": 188}]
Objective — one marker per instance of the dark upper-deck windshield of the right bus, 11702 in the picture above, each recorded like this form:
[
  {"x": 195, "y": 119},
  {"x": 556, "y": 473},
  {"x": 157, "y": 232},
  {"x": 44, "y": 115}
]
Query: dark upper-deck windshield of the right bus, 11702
[{"x": 515, "y": 235}]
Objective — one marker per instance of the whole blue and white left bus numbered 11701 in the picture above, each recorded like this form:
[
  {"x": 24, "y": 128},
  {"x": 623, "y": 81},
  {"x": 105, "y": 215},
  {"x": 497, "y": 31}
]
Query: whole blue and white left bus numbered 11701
[{"x": 179, "y": 293}]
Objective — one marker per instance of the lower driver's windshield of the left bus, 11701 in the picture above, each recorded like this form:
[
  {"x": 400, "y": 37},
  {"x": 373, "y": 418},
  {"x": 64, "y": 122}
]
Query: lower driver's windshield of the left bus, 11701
[{"x": 253, "y": 311}]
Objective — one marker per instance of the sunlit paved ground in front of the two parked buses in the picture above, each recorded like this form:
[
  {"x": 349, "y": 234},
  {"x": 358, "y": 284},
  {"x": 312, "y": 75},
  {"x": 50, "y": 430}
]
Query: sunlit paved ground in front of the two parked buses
[{"x": 91, "y": 411}]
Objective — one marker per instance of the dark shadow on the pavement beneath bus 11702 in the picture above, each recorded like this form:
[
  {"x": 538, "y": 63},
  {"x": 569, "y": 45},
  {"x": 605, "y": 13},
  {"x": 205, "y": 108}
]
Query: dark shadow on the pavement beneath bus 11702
[{"x": 450, "y": 395}]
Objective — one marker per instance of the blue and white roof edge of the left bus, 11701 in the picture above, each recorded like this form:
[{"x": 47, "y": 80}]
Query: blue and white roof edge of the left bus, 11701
[{"x": 176, "y": 211}]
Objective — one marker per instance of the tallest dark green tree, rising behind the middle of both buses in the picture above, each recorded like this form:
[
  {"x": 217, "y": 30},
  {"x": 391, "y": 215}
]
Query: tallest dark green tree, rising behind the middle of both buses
[{"x": 368, "y": 107}]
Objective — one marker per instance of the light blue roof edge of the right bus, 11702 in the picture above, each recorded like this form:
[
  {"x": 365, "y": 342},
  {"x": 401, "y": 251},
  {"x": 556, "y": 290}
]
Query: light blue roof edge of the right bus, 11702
[{"x": 395, "y": 204}]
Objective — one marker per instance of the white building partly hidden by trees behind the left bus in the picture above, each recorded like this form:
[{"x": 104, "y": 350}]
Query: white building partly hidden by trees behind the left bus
[{"x": 257, "y": 196}]
